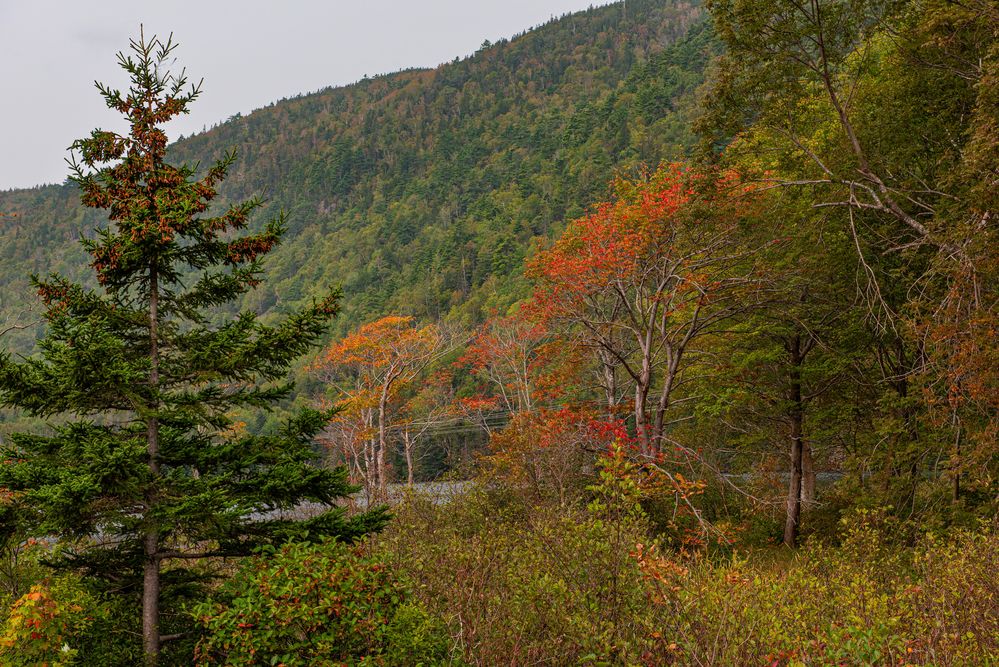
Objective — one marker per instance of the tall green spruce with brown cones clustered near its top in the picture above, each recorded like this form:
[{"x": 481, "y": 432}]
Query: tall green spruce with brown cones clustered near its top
[{"x": 141, "y": 471}]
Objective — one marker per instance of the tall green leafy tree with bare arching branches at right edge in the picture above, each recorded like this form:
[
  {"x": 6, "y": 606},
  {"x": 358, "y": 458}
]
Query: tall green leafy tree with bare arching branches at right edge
[{"x": 883, "y": 115}]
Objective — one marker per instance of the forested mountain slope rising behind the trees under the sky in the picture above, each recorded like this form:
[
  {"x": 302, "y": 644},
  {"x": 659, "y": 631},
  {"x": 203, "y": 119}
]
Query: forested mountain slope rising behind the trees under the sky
[{"x": 422, "y": 191}]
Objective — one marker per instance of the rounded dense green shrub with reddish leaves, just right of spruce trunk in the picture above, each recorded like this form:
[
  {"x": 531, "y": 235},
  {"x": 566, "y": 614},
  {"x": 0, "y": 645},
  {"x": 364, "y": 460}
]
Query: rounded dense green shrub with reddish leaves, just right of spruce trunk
[{"x": 316, "y": 604}]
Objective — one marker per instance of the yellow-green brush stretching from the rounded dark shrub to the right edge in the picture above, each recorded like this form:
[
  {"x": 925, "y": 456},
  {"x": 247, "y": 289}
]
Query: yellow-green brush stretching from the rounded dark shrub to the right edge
[{"x": 568, "y": 585}]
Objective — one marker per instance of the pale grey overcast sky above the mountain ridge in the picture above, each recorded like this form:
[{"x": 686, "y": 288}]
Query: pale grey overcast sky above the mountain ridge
[{"x": 249, "y": 52}]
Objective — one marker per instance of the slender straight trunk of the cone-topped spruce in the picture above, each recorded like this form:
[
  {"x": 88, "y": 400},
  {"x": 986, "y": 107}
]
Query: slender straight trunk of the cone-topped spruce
[{"x": 151, "y": 567}]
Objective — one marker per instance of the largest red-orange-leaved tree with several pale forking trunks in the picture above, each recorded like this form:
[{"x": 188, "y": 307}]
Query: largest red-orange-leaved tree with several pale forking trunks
[{"x": 646, "y": 278}]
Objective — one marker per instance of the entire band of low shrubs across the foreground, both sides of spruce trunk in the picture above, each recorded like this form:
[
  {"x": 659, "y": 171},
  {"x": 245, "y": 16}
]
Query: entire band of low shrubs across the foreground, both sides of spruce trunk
[{"x": 489, "y": 577}]
